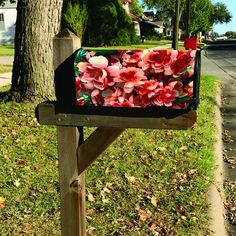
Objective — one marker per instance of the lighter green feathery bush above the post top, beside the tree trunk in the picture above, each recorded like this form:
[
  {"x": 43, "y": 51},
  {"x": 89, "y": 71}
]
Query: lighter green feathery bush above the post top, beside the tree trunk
[{"x": 75, "y": 16}]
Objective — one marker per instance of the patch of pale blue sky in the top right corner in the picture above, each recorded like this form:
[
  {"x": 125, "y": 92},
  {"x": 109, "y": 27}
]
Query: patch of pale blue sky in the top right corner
[{"x": 231, "y": 26}]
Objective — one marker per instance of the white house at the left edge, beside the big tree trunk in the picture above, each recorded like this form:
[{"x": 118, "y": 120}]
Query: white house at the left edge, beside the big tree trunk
[{"x": 7, "y": 22}]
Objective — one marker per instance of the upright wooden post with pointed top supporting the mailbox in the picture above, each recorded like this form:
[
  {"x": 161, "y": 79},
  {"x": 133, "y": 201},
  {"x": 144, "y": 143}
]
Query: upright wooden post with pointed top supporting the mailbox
[{"x": 72, "y": 186}]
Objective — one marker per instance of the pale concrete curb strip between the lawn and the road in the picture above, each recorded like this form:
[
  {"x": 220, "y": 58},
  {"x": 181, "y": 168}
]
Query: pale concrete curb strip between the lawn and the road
[{"x": 216, "y": 196}]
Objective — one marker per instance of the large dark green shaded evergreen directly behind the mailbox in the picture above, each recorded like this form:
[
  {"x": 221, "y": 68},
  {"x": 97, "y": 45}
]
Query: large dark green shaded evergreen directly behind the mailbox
[{"x": 108, "y": 24}]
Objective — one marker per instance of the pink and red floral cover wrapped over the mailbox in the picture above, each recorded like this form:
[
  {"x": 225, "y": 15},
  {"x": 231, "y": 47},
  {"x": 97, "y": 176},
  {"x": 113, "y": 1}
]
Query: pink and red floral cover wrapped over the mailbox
[{"x": 136, "y": 78}]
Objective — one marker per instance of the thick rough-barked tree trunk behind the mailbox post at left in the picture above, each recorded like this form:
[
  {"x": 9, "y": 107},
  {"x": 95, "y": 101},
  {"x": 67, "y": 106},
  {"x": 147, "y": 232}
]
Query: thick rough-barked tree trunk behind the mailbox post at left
[{"x": 36, "y": 25}]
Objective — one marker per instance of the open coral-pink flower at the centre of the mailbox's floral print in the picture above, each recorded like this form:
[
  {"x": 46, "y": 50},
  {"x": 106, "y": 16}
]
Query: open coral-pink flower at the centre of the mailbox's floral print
[{"x": 130, "y": 77}]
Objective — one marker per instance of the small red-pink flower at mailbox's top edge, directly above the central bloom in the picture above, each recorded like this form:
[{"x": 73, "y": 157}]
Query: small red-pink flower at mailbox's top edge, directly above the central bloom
[{"x": 131, "y": 57}]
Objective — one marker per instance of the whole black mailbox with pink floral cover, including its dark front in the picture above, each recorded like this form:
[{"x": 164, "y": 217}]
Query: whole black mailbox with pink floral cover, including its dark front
[{"x": 136, "y": 83}]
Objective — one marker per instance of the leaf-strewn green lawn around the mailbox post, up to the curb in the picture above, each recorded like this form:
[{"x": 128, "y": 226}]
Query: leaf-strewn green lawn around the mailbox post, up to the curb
[{"x": 147, "y": 182}]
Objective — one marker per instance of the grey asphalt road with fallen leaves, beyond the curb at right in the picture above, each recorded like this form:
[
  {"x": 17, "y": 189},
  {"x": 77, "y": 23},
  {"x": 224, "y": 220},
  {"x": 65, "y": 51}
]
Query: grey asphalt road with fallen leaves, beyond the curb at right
[{"x": 223, "y": 54}]
